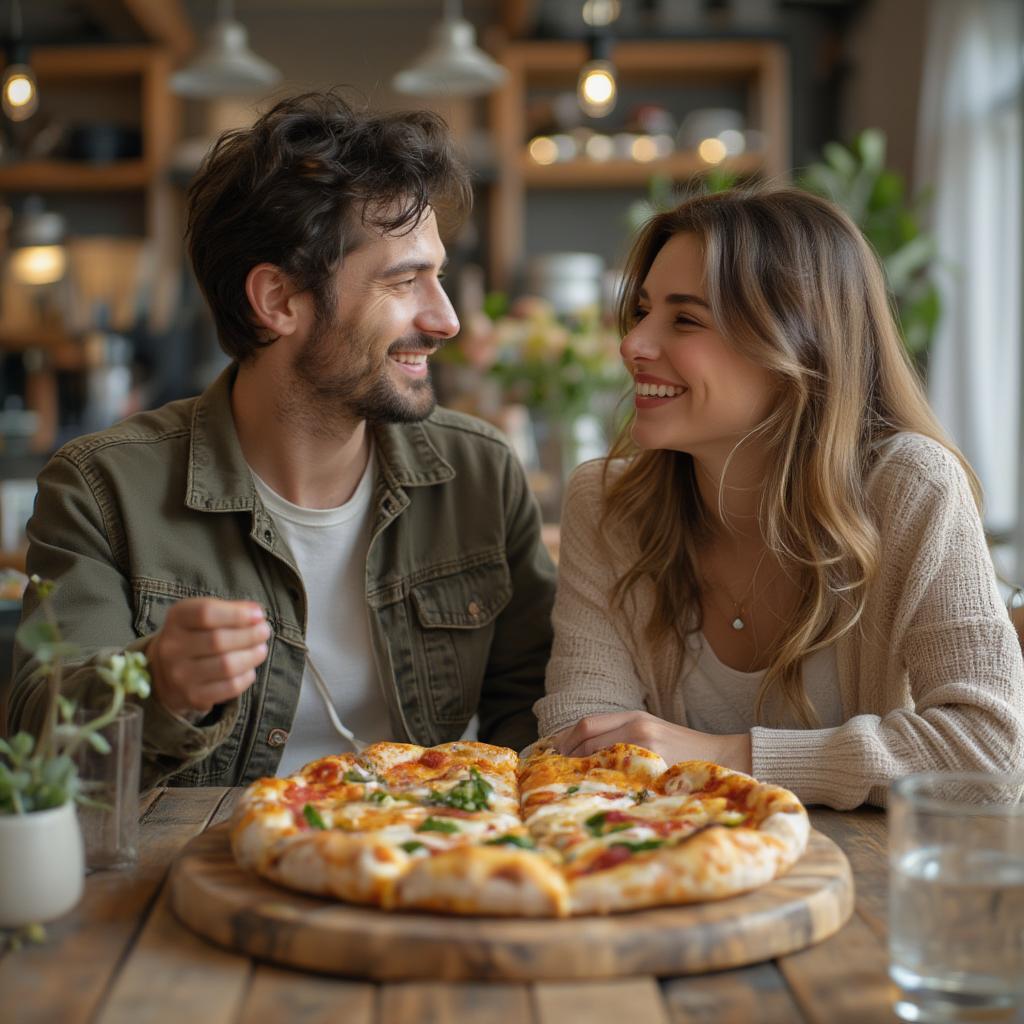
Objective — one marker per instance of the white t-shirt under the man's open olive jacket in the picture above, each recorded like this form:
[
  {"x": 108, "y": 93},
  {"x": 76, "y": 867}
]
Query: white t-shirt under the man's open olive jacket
[{"x": 330, "y": 550}]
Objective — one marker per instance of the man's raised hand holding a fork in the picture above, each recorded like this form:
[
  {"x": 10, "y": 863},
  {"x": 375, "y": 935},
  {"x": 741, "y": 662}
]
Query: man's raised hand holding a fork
[{"x": 206, "y": 654}]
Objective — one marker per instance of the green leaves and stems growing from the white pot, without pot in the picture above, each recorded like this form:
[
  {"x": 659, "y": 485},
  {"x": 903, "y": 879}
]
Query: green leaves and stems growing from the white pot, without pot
[{"x": 36, "y": 777}]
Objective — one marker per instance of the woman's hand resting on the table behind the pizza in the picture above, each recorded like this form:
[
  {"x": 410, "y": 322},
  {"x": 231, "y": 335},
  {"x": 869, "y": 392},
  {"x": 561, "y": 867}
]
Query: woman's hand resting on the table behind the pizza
[{"x": 674, "y": 743}]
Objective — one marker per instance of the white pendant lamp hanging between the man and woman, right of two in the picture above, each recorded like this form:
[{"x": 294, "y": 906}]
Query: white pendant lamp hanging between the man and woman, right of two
[{"x": 453, "y": 65}]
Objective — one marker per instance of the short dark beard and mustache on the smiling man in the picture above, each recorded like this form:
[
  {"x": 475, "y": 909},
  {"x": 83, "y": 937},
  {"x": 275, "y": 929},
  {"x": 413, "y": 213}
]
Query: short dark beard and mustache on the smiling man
[{"x": 333, "y": 392}]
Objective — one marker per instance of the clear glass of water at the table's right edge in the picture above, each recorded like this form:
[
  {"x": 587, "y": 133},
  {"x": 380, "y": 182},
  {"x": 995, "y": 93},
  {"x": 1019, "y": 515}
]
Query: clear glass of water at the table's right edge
[{"x": 957, "y": 897}]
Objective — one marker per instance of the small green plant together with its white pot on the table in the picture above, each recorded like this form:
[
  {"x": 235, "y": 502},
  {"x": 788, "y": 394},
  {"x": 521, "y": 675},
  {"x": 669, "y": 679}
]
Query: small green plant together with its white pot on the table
[{"x": 41, "y": 859}]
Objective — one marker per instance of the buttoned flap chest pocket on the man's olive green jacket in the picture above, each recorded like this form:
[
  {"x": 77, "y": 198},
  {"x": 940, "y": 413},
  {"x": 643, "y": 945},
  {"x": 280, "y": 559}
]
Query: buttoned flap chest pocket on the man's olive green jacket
[{"x": 454, "y": 620}]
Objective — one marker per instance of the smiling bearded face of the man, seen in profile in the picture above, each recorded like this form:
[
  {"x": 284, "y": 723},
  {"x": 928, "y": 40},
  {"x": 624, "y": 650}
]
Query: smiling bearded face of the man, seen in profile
[{"x": 367, "y": 357}]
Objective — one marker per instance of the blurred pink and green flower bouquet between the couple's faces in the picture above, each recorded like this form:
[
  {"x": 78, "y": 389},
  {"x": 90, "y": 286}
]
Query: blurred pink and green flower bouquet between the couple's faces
[{"x": 548, "y": 362}]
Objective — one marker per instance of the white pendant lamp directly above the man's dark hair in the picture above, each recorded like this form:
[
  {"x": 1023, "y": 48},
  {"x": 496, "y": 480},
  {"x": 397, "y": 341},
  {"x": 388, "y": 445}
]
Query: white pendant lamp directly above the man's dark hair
[{"x": 226, "y": 66}]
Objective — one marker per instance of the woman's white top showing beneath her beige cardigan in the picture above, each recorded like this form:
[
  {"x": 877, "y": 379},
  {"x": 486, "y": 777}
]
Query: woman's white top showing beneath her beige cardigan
[{"x": 721, "y": 701}]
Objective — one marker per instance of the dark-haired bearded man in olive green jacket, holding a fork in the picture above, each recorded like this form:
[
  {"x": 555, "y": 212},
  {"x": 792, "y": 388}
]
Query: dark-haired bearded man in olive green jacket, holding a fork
[{"x": 311, "y": 556}]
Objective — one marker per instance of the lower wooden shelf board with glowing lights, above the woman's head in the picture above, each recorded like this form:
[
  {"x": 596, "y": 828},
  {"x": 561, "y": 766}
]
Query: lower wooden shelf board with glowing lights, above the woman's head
[{"x": 628, "y": 174}]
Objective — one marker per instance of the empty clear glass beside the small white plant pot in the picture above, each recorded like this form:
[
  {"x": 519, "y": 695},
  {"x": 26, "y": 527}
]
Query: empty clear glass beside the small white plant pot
[{"x": 110, "y": 784}]
